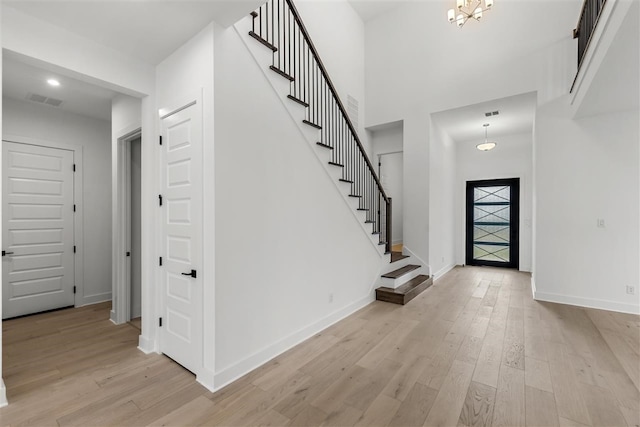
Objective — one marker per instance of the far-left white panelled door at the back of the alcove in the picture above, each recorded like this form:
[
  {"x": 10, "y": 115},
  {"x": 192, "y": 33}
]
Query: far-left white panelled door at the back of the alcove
[{"x": 37, "y": 229}]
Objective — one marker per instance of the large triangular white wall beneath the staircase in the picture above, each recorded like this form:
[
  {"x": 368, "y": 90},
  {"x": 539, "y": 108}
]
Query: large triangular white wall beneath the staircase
[{"x": 290, "y": 256}]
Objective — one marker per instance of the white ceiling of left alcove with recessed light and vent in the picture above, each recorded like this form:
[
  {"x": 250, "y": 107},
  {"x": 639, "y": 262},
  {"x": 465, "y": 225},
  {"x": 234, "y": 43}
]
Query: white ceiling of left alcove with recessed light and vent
[{"x": 20, "y": 79}]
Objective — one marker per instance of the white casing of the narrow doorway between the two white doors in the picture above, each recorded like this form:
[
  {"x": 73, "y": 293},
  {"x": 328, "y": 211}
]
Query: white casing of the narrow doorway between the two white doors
[{"x": 121, "y": 301}]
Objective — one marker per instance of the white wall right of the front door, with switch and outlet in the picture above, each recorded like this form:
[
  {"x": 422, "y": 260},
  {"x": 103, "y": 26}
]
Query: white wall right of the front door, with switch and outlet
[{"x": 588, "y": 170}]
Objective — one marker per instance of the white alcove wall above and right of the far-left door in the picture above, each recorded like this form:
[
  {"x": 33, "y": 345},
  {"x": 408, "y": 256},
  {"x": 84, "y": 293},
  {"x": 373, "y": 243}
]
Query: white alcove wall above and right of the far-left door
[{"x": 27, "y": 120}]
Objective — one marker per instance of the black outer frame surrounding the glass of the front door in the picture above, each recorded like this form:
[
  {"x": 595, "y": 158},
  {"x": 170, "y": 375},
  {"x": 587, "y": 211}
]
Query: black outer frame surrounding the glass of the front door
[{"x": 514, "y": 218}]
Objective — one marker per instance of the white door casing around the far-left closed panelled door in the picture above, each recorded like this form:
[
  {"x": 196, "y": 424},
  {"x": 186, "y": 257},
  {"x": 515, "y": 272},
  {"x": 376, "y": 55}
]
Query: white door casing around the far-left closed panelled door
[{"x": 78, "y": 217}]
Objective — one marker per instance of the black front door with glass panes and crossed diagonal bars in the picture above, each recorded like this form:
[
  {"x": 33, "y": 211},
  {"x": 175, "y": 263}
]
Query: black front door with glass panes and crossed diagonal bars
[{"x": 492, "y": 222}]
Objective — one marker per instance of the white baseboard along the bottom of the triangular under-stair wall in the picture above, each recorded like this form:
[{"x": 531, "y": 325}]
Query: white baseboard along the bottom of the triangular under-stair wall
[{"x": 233, "y": 372}]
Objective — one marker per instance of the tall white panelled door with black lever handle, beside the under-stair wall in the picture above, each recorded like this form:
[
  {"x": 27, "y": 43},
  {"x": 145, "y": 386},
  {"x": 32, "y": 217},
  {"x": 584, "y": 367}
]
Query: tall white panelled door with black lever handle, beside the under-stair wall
[{"x": 181, "y": 331}]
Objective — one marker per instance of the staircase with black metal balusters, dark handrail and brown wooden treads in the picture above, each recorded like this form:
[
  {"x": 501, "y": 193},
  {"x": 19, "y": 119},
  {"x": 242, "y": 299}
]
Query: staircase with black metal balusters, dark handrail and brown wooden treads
[{"x": 277, "y": 26}]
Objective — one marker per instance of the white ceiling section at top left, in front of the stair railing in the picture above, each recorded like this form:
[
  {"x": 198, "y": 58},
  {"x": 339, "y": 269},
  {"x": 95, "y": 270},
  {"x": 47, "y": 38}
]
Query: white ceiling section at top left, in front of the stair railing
[{"x": 149, "y": 30}]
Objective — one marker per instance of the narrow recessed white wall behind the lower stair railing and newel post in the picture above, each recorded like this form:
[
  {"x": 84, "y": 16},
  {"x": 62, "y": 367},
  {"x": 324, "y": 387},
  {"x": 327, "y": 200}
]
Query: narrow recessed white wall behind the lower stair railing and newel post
[{"x": 386, "y": 141}]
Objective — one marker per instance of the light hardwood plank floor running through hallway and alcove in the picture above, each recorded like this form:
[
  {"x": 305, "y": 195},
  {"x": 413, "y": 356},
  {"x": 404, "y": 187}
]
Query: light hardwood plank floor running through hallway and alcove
[{"x": 474, "y": 349}]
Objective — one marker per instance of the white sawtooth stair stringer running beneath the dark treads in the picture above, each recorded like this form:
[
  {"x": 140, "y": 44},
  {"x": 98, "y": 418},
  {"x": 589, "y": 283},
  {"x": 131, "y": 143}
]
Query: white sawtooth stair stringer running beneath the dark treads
[{"x": 297, "y": 112}]
